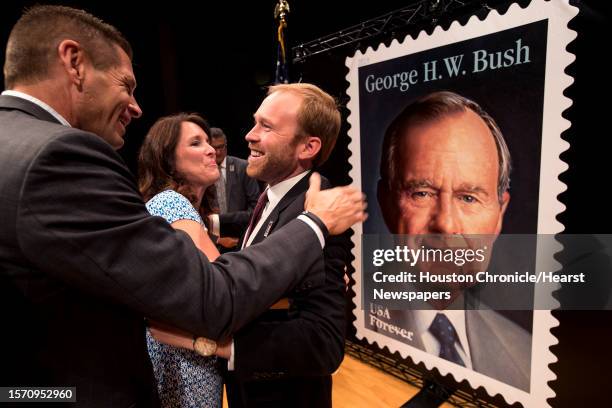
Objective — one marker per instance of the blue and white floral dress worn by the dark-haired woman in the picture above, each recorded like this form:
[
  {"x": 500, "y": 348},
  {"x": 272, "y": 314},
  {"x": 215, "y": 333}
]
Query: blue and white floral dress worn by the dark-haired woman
[{"x": 184, "y": 378}]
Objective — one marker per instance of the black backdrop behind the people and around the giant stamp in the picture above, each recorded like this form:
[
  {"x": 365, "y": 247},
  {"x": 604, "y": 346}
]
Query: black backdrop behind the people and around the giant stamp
[{"x": 215, "y": 58}]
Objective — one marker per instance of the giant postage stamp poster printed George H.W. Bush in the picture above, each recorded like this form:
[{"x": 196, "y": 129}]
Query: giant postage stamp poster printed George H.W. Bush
[{"x": 510, "y": 69}]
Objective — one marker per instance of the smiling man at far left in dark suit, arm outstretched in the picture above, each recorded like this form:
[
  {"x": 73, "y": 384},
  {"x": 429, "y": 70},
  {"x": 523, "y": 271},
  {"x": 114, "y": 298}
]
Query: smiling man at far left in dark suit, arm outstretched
[{"x": 81, "y": 261}]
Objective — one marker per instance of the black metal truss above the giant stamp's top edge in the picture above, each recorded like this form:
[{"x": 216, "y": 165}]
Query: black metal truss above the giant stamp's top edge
[{"x": 424, "y": 11}]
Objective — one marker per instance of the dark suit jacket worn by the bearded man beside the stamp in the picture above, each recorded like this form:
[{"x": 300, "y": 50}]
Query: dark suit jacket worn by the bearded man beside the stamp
[{"x": 285, "y": 358}]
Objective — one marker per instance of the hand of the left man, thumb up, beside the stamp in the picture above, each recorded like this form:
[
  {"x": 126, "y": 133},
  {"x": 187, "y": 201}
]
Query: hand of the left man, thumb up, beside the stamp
[{"x": 339, "y": 208}]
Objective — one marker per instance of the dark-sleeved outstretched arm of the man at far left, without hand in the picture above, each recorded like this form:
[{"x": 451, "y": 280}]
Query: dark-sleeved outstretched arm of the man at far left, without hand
[{"x": 82, "y": 221}]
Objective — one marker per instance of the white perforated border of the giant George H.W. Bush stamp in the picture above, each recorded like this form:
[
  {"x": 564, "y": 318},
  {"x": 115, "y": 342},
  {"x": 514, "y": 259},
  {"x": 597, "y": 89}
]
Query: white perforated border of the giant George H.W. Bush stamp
[{"x": 559, "y": 14}]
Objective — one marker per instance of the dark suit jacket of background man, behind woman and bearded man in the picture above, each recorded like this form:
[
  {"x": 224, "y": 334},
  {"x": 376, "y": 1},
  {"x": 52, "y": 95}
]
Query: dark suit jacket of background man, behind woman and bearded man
[{"x": 242, "y": 193}]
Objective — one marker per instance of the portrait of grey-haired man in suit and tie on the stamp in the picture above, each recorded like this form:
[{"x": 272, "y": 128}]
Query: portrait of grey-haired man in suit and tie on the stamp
[{"x": 445, "y": 170}]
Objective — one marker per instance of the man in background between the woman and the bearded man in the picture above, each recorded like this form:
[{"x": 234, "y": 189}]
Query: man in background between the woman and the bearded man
[{"x": 237, "y": 194}]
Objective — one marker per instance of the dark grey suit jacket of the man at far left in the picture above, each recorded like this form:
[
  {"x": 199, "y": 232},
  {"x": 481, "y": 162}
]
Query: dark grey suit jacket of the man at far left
[{"x": 82, "y": 263}]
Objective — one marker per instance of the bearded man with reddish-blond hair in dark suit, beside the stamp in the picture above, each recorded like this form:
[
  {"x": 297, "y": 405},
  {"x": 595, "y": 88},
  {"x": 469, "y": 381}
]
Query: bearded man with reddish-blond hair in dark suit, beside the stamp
[{"x": 286, "y": 357}]
